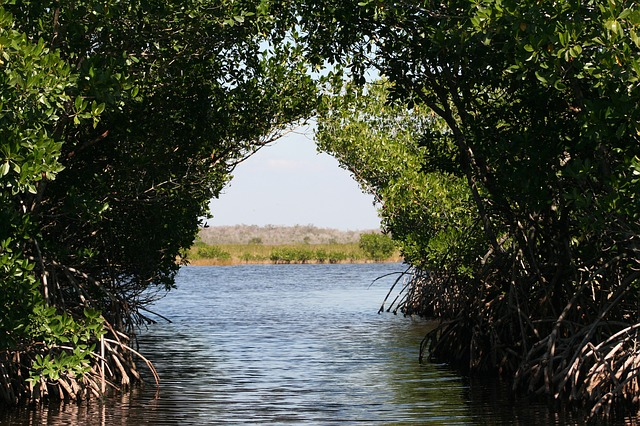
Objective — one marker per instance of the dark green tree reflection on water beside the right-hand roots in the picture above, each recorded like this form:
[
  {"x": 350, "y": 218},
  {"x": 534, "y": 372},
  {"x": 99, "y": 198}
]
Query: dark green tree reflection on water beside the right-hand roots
[{"x": 434, "y": 393}]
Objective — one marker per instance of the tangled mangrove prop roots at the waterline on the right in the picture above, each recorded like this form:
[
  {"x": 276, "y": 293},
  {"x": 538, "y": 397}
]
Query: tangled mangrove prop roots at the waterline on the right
[{"x": 581, "y": 347}]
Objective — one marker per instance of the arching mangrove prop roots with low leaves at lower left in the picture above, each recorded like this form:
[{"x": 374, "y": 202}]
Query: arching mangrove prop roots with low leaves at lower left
[{"x": 111, "y": 366}]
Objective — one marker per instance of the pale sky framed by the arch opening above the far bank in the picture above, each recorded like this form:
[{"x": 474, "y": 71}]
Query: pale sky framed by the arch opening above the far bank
[{"x": 290, "y": 183}]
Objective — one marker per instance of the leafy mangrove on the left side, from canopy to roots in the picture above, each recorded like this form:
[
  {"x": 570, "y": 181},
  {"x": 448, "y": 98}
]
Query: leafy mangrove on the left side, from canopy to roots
[{"x": 120, "y": 121}]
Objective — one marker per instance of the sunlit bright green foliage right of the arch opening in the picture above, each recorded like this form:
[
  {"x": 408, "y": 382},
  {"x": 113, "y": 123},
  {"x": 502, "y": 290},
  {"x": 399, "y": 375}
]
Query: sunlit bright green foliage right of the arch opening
[{"x": 404, "y": 157}]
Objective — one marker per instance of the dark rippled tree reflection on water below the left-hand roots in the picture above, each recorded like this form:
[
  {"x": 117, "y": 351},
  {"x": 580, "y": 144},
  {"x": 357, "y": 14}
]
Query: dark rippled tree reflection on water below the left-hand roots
[{"x": 182, "y": 359}]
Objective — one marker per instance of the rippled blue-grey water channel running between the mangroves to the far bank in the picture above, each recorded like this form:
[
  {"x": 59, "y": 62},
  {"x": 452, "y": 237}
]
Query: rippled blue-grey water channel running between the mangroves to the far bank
[{"x": 291, "y": 344}]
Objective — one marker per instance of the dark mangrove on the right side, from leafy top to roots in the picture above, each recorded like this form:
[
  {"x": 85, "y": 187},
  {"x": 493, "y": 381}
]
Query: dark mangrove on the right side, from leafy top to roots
[{"x": 539, "y": 102}]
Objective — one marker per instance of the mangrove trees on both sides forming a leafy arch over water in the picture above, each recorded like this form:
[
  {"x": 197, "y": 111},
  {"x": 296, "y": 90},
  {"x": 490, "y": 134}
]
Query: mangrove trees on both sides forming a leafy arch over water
[{"x": 501, "y": 140}]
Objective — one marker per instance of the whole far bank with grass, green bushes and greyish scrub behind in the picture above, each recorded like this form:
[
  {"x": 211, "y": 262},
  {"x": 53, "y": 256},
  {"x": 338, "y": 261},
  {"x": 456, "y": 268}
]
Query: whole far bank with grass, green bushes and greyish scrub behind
[{"x": 299, "y": 245}]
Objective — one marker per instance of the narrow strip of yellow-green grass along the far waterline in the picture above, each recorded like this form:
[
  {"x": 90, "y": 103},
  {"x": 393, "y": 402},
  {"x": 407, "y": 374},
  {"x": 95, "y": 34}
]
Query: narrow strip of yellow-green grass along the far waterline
[{"x": 233, "y": 254}]
